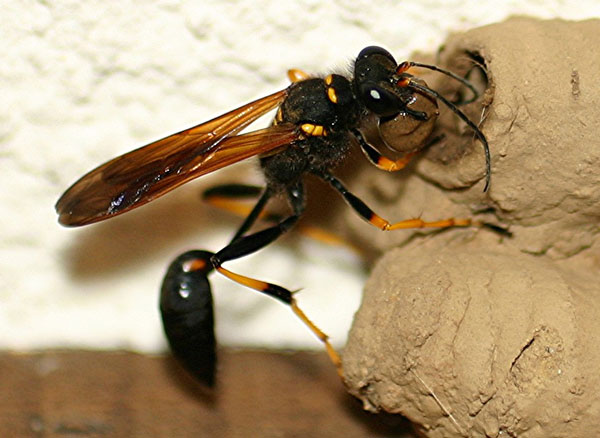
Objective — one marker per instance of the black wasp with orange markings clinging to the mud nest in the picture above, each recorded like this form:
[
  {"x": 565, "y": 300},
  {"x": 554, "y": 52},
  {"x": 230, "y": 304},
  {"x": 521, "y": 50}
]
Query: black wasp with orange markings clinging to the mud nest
[{"x": 318, "y": 120}]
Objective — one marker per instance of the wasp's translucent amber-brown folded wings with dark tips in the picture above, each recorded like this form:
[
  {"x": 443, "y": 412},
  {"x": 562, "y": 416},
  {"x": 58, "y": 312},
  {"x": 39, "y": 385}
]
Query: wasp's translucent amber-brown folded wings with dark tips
[{"x": 138, "y": 177}]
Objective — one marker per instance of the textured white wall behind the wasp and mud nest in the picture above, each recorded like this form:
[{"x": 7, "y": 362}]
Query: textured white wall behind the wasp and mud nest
[{"x": 84, "y": 81}]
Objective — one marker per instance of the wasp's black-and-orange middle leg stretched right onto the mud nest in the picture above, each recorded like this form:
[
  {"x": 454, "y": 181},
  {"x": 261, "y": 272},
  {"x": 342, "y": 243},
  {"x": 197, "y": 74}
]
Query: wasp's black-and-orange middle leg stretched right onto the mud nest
[{"x": 374, "y": 219}]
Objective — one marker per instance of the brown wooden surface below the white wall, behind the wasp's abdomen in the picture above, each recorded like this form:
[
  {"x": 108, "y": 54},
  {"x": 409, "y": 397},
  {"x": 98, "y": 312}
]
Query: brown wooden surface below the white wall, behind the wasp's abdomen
[{"x": 119, "y": 394}]
